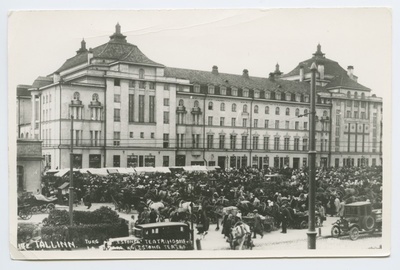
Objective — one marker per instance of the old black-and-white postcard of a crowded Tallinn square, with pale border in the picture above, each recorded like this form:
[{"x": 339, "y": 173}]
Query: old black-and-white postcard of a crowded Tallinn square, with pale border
[{"x": 216, "y": 133}]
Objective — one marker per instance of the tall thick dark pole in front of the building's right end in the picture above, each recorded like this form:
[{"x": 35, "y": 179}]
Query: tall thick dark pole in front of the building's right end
[{"x": 311, "y": 233}]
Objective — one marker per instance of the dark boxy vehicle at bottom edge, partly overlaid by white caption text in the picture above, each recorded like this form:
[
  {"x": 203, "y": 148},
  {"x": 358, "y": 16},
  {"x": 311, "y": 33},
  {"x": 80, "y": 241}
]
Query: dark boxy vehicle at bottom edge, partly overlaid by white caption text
[{"x": 154, "y": 236}]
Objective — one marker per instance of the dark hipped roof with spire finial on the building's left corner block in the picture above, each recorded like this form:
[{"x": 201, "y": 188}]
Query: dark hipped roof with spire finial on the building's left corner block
[{"x": 117, "y": 49}]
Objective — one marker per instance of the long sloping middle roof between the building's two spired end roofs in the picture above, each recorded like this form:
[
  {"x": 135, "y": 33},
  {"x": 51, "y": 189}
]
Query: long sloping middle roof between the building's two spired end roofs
[{"x": 239, "y": 81}]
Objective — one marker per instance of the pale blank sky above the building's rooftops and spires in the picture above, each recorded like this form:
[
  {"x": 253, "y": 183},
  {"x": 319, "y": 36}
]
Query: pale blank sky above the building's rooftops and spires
[{"x": 39, "y": 42}]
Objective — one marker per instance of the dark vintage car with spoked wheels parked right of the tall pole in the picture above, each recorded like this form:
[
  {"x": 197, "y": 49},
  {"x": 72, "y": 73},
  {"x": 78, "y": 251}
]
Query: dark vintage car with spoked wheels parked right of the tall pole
[{"x": 358, "y": 217}]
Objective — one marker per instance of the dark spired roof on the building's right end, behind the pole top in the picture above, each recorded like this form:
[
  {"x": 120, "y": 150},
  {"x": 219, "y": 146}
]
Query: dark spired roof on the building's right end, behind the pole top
[{"x": 341, "y": 78}]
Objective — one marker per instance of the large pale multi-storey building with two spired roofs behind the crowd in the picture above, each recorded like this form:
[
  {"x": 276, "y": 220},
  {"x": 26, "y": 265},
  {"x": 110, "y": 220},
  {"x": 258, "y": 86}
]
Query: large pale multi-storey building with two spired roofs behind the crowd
[{"x": 129, "y": 111}]
